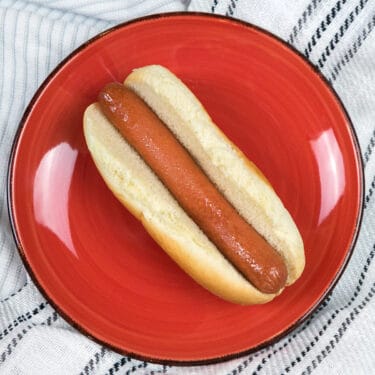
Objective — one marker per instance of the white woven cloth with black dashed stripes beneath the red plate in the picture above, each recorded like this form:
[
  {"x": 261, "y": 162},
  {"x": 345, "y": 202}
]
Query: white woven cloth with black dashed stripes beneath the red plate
[{"x": 337, "y": 36}]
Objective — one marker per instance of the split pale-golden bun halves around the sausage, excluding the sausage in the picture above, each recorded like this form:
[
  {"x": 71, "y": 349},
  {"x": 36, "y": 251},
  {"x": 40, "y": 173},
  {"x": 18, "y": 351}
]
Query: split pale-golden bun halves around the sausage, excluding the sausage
[{"x": 136, "y": 186}]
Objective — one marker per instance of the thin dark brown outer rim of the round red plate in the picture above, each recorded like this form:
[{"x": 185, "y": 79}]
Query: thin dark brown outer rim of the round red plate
[{"x": 233, "y": 355}]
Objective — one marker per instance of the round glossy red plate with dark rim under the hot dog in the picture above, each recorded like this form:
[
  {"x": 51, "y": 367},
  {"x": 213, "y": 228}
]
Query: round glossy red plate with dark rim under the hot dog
[{"x": 95, "y": 262}]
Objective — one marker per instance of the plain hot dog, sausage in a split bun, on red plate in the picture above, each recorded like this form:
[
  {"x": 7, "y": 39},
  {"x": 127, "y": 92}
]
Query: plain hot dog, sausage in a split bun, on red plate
[{"x": 217, "y": 216}]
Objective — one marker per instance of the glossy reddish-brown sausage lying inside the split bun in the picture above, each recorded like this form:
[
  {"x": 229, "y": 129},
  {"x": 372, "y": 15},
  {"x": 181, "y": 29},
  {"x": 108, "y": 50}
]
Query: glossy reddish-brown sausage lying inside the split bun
[{"x": 238, "y": 241}]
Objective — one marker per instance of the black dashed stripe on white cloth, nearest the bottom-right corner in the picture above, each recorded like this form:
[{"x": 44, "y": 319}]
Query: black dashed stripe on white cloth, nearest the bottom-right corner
[{"x": 340, "y": 332}]
